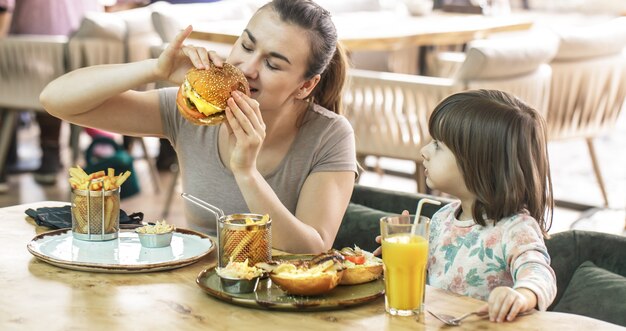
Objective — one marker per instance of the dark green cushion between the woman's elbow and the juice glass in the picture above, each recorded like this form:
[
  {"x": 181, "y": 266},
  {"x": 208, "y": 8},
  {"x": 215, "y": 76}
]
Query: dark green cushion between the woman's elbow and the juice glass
[{"x": 360, "y": 226}]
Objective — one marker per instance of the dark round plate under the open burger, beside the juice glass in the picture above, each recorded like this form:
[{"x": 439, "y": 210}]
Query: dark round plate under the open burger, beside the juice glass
[{"x": 269, "y": 296}]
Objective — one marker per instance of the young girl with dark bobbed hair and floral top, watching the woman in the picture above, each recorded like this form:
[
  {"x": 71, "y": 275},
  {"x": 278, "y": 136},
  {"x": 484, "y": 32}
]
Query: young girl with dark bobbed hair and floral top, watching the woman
[{"x": 489, "y": 151}]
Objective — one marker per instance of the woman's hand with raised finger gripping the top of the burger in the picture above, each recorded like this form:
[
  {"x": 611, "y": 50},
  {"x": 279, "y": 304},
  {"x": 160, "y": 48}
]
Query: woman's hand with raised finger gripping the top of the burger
[{"x": 177, "y": 59}]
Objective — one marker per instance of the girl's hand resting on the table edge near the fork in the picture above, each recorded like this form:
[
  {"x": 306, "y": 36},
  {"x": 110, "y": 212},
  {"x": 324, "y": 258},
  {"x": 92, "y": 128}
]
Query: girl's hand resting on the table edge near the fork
[{"x": 505, "y": 303}]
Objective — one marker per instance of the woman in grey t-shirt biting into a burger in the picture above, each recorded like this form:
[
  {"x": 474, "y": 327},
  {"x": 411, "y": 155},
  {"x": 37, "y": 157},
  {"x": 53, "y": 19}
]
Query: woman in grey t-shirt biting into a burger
[{"x": 281, "y": 152}]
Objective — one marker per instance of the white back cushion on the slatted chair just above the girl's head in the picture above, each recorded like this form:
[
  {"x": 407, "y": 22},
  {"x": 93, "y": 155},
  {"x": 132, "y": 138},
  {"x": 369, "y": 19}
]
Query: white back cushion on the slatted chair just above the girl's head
[{"x": 507, "y": 57}]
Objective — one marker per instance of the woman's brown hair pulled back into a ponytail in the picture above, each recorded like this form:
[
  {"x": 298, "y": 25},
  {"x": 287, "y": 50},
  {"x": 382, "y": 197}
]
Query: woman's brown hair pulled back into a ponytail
[{"x": 327, "y": 57}]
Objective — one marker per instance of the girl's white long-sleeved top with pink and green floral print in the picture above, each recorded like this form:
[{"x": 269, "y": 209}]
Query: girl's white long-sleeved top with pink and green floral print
[{"x": 470, "y": 259}]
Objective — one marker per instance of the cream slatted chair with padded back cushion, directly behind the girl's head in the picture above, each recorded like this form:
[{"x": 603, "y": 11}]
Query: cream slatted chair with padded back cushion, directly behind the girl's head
[{"x": 389, "y": 112}]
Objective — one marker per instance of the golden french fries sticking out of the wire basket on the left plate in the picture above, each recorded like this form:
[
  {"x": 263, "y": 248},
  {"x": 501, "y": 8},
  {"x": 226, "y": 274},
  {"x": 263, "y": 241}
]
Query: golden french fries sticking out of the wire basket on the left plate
[{"x": 80, "y": 180}]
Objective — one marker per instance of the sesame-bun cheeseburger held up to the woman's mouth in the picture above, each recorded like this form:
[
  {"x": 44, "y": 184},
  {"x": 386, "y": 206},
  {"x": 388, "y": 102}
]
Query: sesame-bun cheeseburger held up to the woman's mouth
[{"x": 202, "y": 97}]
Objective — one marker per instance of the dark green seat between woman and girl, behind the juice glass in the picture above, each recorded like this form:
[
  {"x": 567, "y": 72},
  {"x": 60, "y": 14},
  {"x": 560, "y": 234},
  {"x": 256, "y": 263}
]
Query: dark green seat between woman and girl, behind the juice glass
[{"x": 360, "y": 223}]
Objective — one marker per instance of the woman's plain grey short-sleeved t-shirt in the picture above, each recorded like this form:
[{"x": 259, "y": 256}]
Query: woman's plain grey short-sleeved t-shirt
[{"x": 325, "y": 142}]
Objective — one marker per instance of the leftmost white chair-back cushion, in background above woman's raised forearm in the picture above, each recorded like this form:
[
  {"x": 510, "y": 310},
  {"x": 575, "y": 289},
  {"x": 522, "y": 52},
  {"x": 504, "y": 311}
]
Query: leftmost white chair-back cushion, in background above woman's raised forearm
[{"x": 101, "y": 25}]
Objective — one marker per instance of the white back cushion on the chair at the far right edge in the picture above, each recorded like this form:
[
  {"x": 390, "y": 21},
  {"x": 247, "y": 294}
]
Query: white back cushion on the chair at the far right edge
[{"x": 598, "y": 40}]
